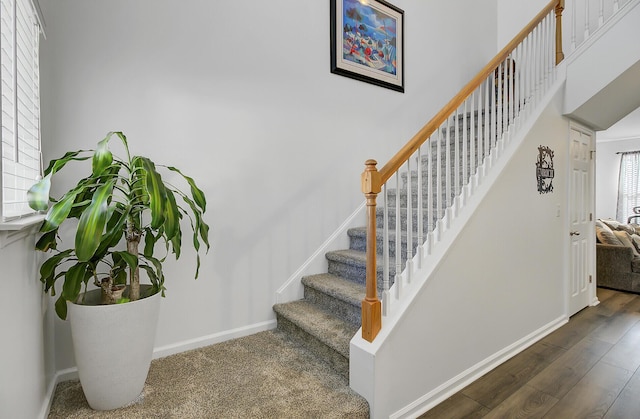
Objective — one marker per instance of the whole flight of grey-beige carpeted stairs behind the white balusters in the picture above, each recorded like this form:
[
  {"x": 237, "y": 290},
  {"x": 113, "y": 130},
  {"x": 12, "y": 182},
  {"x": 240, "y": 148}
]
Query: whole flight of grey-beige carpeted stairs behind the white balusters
[{"x": 330, "y": 313}]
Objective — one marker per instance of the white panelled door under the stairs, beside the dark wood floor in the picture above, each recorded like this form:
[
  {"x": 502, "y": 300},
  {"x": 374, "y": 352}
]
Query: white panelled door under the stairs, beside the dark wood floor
[{"x": 581, "y": 224}]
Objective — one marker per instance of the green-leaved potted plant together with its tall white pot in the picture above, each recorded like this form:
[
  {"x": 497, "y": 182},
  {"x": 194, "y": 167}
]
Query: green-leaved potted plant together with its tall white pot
[{"x": 123, "y": 203}]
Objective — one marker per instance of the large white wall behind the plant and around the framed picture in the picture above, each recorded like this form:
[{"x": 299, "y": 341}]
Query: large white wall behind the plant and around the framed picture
[{"x": 242, "y": 99}]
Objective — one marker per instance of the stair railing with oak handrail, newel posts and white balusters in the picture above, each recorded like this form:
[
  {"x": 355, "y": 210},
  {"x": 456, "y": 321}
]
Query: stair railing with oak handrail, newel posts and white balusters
[{"x": 451, "y": 154}]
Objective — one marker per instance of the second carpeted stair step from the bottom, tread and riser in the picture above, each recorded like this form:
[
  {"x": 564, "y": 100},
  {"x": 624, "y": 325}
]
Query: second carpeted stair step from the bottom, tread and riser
[{"x": 335, "y": 295}]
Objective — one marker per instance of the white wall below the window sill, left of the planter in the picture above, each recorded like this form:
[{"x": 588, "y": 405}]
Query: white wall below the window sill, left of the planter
[{"x": 26, "y": 353}]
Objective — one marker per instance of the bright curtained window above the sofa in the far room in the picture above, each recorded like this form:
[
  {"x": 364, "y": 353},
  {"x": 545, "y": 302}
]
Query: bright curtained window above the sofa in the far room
[{"x": 628, "y": 186}]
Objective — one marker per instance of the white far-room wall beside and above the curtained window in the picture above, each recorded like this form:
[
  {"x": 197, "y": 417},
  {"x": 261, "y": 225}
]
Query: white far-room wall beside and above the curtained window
[{"x": 607, "y": 171}]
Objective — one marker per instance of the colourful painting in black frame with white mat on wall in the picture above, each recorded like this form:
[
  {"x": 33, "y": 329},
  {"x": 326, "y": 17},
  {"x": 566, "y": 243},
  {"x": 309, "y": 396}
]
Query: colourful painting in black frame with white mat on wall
[{"x": 367, "y": 42}]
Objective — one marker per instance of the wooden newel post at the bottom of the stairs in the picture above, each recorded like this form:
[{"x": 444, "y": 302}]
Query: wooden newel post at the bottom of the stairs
[{"x": 371, "y": 306}]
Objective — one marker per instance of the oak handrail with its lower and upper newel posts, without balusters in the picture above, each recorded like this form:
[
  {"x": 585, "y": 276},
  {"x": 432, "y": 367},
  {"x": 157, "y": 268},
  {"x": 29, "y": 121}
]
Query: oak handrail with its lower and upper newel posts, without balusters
[{"x": 372, "y": 179}]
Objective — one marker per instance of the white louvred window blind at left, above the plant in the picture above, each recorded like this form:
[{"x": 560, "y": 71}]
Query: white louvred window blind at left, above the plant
[{"x": 20, "y": 116}]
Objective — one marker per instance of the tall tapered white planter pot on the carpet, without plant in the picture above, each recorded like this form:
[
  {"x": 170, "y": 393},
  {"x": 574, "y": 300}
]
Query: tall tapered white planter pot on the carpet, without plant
[{"x": 113, "y": 345}]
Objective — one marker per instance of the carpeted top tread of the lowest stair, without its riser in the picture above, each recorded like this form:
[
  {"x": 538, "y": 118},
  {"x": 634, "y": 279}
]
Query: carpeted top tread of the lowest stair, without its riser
[{"x": 327, "y": 328}]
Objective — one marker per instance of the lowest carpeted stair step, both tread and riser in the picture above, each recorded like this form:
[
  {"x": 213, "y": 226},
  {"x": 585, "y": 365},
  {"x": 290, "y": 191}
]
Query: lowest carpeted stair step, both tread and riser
[{"x": 325, "y": 335}]
